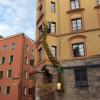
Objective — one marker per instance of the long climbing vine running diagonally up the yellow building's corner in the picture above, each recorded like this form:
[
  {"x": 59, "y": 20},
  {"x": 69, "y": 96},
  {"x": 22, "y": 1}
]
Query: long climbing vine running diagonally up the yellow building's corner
[{"x": 53, "y": 60}]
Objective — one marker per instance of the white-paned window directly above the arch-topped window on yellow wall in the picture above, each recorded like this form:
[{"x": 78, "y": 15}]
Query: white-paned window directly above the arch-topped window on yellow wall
[{"x": 77, "y": 24}]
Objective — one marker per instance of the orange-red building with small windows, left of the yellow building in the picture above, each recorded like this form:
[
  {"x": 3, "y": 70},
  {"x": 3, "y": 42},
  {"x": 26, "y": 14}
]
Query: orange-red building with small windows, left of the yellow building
[{"x": 16, "y": 66}]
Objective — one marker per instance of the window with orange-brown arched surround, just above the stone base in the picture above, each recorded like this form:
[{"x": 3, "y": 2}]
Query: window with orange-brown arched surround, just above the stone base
[{"x": 78, "y": 46}]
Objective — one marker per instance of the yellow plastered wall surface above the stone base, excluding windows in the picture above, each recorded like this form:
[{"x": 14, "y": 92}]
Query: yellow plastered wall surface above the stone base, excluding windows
[{"x": 89, "y": 34}]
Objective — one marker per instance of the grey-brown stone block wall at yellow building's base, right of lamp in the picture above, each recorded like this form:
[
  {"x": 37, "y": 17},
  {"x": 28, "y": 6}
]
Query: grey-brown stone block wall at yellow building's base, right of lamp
[{"x": 92, "y": 91}]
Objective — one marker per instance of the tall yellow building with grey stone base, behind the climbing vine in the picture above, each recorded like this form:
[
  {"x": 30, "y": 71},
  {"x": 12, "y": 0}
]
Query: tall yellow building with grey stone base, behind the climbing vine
[{"x": 73, "y": 38}]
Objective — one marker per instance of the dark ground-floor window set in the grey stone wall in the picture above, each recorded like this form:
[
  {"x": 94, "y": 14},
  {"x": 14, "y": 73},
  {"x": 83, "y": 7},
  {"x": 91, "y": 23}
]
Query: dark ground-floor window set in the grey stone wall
[{"x": 81, "y": 77}]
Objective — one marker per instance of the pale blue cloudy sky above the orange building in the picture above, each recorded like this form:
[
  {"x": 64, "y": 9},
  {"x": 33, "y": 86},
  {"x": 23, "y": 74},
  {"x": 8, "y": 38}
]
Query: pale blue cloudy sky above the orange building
[{"x": 18, "y": 16}]
